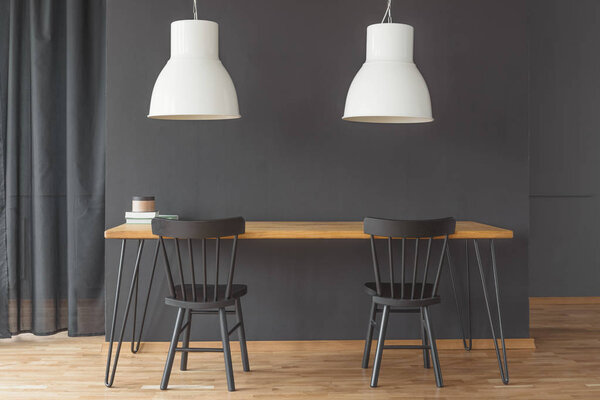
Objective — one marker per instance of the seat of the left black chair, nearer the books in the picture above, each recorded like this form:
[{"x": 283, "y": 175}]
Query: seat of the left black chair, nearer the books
[{"x": 237, "y": 291}]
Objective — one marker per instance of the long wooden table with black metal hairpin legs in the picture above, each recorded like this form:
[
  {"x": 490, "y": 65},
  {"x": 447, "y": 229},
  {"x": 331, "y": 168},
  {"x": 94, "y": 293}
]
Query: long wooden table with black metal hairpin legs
[{"x": 466, "y": 230}]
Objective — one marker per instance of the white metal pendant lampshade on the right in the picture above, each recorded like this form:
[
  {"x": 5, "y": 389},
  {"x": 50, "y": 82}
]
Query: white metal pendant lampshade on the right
[{"x": 388, "y": 88}]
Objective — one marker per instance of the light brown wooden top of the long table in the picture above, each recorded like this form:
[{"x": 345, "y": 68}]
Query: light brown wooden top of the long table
[{"x": 313, "y": 230}]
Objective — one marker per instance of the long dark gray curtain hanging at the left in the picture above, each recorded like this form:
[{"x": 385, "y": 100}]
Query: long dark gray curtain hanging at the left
[{"x": 52, "y": 132}]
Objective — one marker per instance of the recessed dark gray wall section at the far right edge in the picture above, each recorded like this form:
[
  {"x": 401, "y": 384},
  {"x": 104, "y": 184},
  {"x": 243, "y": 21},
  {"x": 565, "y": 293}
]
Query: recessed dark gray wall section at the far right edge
[{"x": 564, "y": 255}]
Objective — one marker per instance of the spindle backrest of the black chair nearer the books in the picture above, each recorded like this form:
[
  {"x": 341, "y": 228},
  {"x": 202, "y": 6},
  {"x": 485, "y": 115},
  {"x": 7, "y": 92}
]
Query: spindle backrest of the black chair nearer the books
[{"x": 199, "y": 230}]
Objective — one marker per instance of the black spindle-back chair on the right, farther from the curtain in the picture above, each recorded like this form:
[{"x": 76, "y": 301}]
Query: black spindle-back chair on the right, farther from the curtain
[{"x": 413, "y": 295}]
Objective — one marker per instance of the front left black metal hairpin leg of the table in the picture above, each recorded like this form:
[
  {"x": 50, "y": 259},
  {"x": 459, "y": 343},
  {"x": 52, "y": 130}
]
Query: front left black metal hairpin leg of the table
[{"x": 109, "y": 376}]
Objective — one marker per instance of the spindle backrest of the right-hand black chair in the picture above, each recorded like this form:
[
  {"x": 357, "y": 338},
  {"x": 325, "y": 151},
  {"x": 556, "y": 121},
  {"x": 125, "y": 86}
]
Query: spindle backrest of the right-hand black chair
[{"x": 407, "y": 230}]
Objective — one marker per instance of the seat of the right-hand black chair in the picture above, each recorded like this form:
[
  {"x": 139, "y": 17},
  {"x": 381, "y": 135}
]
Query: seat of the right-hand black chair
[{"x": 398, "y": 300}]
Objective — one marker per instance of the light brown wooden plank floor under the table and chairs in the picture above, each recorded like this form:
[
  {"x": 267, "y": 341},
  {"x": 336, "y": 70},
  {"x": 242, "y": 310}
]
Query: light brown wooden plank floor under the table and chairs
[{"x": 565, "y": 365}]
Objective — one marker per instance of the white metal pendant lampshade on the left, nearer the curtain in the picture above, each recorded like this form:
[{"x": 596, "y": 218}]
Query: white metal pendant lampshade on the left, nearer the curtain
[{"x": 194, "y": 84}]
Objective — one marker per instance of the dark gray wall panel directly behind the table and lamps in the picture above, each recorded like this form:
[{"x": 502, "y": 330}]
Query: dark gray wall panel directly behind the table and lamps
[{"x": 291, "y": 157}]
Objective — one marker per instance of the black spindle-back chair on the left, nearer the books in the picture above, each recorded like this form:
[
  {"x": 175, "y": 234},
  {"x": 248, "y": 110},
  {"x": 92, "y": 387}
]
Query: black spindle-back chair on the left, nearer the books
[{"x": 202, "y": 298}]
